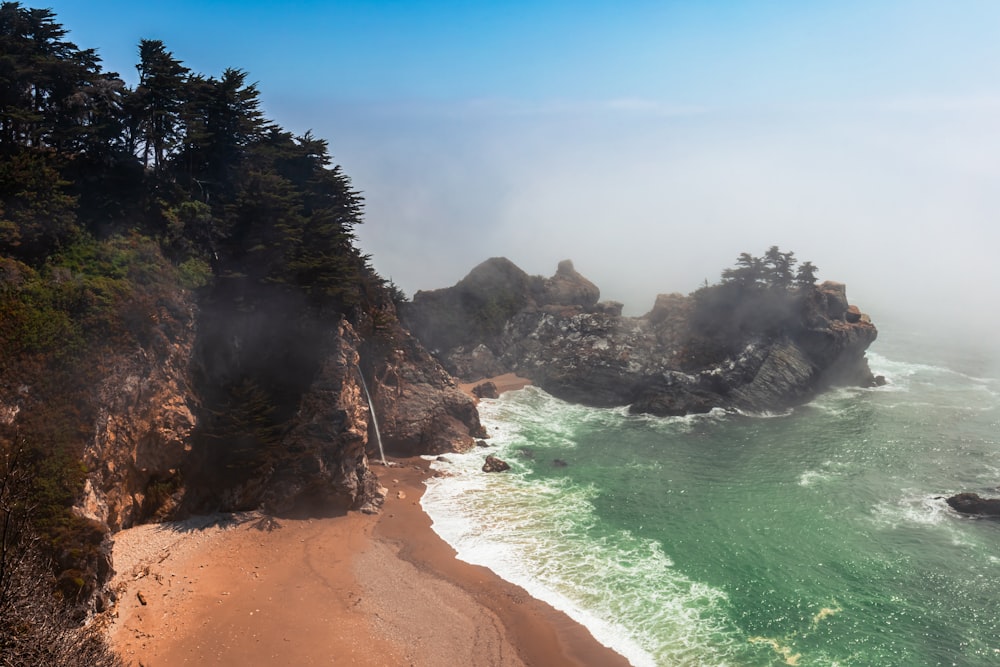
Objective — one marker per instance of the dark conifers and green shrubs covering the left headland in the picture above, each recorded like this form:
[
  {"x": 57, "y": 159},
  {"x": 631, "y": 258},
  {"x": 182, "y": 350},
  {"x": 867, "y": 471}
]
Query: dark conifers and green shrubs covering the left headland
[{"x": 115, "y": 204}]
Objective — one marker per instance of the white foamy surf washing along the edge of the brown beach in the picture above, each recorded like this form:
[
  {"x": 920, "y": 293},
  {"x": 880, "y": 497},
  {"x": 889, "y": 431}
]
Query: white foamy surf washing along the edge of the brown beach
[{"x": 537, "y": 534}]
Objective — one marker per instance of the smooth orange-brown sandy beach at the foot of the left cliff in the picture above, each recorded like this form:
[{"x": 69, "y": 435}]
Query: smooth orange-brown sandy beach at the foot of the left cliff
[{"x": 352, "y": 589}]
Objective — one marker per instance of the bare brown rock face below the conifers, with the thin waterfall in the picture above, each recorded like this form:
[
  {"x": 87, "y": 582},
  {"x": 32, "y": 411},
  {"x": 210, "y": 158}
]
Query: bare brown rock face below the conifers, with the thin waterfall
[{"x": 152, "y": 454}]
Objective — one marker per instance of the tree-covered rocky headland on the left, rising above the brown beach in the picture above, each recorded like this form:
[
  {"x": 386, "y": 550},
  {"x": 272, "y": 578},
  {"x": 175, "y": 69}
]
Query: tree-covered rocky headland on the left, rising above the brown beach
[{"x": 185, "y": 322}]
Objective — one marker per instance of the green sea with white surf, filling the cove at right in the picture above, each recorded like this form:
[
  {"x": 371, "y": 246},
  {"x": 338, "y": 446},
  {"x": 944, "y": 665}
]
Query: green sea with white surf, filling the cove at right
[{"x": 815, "y": 537}]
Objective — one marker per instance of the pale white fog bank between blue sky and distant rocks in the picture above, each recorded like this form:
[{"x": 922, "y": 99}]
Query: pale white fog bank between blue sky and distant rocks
[{"x": 897, "y": 199}]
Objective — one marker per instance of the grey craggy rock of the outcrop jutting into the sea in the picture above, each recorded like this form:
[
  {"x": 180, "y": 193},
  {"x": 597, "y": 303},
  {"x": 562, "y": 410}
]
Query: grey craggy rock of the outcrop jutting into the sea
[{"x": 587, "y": 352}]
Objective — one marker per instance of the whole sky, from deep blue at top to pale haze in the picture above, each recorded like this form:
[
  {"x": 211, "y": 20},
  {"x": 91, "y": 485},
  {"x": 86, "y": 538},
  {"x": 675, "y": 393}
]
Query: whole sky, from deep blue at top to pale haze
[{"x": 649, "y": 142}]
